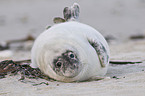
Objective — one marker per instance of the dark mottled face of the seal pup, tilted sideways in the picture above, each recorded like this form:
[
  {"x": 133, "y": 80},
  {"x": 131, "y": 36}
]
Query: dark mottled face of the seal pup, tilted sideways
[{"x": 67, "y": 64}]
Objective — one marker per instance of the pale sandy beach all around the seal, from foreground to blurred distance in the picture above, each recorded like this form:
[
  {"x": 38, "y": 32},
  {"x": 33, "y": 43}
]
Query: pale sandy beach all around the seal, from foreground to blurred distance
[{"x": 126, "y": 18}]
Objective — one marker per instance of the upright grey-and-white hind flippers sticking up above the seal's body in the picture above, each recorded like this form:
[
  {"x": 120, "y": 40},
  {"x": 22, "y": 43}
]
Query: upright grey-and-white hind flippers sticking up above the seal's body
[{"x": 71, "y": 13}]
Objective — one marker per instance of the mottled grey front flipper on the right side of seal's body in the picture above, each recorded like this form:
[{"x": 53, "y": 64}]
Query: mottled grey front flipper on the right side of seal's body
[{"x": 101, "y": 51}]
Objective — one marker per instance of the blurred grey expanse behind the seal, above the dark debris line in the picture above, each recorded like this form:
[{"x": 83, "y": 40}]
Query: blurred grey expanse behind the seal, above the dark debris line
[{"x": 117, "y": 18}]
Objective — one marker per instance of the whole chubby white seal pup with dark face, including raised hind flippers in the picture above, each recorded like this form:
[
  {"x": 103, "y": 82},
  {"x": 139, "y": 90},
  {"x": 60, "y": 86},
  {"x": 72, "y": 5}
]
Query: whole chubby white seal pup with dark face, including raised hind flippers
[{"x": 71, "y": 51}]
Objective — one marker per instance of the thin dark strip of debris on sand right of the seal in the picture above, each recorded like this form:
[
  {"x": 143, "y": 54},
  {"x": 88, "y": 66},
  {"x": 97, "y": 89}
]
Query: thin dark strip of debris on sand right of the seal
[{"x": 123, "y": 62}]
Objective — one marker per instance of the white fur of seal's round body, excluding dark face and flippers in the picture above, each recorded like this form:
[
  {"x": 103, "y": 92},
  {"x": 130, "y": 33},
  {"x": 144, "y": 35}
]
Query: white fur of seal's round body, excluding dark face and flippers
[{"x": 74, "y": 36}]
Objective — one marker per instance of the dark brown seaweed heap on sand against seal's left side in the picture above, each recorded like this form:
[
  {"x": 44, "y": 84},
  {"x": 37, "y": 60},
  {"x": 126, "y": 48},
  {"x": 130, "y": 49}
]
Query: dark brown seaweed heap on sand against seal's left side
[{"x": 23, "y": 67}]
